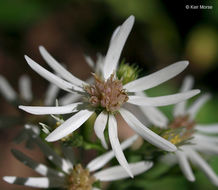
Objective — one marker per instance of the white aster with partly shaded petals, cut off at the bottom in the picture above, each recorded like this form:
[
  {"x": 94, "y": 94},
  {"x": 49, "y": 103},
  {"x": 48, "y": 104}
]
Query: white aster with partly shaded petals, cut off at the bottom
[{"x": 70, "y": 176}]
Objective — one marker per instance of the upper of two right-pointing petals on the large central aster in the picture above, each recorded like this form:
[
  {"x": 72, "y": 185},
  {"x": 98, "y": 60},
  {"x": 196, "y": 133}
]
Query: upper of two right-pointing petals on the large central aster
[{"x": 156, "y": 78}]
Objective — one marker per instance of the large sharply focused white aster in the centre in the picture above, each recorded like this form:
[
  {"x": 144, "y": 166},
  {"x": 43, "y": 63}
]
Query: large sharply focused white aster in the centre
[{"x": 107, "y": 96}]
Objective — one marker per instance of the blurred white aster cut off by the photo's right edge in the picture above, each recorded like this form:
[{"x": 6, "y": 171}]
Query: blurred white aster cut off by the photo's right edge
[{"x": 200, "y": 138}]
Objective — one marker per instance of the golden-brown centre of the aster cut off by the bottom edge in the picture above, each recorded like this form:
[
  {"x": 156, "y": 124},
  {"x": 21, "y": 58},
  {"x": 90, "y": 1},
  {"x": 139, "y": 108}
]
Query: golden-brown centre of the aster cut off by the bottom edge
[{"x": 80, "y": 179}]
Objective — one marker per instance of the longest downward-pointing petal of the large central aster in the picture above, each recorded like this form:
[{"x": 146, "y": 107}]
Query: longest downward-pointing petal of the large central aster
[{"x": 115, "y": 144}]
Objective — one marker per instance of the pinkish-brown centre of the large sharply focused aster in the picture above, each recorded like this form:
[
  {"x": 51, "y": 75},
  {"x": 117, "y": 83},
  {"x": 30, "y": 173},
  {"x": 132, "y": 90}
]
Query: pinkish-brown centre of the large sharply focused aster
[{"x": 109, "y": 94}]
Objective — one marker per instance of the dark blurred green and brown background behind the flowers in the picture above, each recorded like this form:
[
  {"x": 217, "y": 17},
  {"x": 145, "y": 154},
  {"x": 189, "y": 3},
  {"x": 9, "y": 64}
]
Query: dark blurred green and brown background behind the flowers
[{"x": 164, "y": 32}]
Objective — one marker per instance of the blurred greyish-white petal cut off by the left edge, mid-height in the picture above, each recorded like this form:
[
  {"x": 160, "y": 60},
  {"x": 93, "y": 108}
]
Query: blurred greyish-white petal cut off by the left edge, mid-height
[{"x": 6, "y": 90}]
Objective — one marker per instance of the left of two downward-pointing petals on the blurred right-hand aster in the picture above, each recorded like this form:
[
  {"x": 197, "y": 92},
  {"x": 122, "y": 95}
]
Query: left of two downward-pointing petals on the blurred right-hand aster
[{"x": 185, "y": 166}]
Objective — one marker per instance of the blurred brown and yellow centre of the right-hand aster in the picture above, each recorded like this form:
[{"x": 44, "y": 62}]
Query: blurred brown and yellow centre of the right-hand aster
[{"x": 181, "y": 129}]
